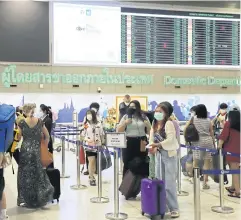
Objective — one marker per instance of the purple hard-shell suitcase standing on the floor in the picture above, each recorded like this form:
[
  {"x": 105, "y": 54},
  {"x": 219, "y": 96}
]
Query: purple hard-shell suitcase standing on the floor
[{"x": 153, "y": 197}]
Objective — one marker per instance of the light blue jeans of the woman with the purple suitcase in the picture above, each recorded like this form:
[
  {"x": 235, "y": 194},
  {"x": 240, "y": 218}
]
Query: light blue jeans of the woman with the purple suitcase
[{"x": 166, "y": 169}]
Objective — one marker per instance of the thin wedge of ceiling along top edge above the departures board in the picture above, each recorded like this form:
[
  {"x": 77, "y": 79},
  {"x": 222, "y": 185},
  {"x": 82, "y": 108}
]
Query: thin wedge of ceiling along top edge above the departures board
[{"x": 203, "y": 3}]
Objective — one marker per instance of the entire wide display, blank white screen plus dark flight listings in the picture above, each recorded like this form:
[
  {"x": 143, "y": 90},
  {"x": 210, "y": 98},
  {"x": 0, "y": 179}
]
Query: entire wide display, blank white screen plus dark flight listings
[{"x": 108, "y": 35}]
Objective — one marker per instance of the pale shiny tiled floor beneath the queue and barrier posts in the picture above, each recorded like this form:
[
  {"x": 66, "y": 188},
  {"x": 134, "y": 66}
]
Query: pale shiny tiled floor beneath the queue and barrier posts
[{"x": 76, "y": 205}]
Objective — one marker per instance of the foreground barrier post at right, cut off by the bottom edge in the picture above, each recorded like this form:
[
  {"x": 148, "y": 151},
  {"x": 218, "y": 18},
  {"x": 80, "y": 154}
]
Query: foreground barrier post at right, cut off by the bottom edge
[{"x": 196, "y": 189}]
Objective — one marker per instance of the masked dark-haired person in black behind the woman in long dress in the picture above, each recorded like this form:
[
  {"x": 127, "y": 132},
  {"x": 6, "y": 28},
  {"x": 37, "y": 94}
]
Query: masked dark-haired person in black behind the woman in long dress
[{"x": 46, "y": 116}]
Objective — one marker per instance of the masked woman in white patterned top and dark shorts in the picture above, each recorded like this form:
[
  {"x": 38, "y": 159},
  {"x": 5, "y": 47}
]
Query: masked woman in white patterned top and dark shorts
[{"x": 93, "y": 135}]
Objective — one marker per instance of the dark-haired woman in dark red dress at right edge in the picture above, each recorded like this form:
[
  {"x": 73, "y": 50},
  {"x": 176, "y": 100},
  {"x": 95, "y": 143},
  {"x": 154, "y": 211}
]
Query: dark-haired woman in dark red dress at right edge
[{"x": 229, "y": 140}]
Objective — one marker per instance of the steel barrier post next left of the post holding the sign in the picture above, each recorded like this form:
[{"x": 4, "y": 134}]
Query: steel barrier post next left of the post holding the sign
[{"x": 99, "y": 199}]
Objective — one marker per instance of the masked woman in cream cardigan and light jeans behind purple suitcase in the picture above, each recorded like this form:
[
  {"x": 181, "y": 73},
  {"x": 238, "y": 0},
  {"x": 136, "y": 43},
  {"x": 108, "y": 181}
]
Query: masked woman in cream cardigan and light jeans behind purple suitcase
[{"x": 163, "y": 139}]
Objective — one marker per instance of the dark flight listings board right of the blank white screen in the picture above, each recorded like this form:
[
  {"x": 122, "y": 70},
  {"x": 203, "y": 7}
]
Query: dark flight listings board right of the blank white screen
[{"x": 160, "y": 37}]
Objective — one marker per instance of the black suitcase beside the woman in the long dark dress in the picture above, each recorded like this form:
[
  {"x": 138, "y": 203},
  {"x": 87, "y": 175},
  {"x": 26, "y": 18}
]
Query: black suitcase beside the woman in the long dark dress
[{"x": 54, "y": 177}]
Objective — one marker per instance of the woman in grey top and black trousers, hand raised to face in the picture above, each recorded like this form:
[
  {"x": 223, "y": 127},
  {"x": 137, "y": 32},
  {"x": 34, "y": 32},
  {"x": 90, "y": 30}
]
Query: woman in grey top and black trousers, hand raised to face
[{"x": 136, "y": 125}]
